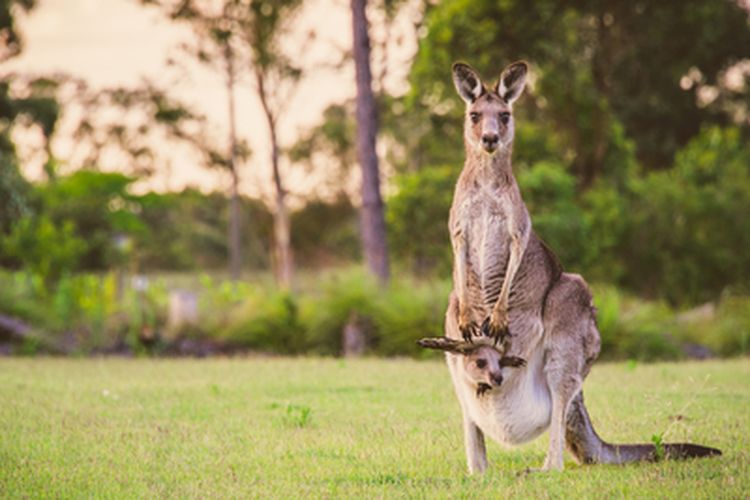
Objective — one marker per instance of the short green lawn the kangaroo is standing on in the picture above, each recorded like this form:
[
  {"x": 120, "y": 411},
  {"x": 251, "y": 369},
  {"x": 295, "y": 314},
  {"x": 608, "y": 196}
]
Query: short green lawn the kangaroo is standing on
[{"x": 281, "y": 427}]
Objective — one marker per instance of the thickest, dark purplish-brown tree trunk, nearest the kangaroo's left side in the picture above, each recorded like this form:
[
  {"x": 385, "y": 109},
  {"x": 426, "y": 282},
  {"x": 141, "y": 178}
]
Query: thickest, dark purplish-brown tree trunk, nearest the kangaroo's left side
[{"x": 373, "y": 232}]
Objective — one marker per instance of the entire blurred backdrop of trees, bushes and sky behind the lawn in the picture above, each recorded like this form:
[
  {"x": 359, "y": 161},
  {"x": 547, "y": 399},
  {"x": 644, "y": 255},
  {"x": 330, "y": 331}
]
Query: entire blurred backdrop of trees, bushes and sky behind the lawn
[{"x": 185, "y": 177}]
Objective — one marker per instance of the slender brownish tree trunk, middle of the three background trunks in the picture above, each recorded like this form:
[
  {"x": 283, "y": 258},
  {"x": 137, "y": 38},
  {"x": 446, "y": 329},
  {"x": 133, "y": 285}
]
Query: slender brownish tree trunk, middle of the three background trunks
[{"x": 283, "y": 257}]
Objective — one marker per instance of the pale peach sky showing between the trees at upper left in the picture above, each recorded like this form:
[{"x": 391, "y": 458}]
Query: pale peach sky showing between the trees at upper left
[{"x": 119, "y": 42}]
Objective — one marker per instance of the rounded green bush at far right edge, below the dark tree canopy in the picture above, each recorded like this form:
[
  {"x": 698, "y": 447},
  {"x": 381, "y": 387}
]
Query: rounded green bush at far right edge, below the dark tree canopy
[{"x": 687, "y": 226}]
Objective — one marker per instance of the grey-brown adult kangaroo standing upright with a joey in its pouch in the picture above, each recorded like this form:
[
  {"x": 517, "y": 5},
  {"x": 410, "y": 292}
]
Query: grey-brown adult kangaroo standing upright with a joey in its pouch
[{"x": 521, "y": 334}]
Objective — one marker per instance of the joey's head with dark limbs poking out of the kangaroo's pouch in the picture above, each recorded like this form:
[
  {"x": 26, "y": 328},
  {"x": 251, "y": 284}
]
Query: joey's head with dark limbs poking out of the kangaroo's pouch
[{"x": 482, "y": 361}]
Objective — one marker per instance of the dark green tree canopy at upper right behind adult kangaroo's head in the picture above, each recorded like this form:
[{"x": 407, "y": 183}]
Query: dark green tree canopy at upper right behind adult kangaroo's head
[{"x": 596, "y": 64}]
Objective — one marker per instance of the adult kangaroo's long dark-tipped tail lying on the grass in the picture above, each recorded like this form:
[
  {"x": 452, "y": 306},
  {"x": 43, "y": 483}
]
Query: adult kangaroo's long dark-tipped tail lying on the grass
[{"x": 588, "y": 447}]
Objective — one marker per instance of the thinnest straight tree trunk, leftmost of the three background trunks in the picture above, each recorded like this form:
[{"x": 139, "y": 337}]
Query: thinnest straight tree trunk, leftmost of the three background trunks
[{"x": 235, "y": 257}]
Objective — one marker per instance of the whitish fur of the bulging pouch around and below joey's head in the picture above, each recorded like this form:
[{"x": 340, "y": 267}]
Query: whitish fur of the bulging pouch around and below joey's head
[{"x": 517, "y": 411}]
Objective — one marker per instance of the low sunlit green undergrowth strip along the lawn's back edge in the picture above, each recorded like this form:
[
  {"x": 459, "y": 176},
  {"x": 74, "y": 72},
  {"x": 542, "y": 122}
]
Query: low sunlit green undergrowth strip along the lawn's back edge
[{"x": 90, "y": 313}]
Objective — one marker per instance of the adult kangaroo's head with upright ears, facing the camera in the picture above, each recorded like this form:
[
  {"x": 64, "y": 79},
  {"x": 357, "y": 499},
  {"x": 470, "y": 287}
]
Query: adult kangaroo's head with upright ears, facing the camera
[{"x": 488, "y": 125}]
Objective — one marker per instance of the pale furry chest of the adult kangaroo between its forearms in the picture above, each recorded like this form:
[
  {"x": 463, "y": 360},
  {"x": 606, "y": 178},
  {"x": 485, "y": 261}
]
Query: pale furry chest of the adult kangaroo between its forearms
[{"x": 483, "y": 217}]
